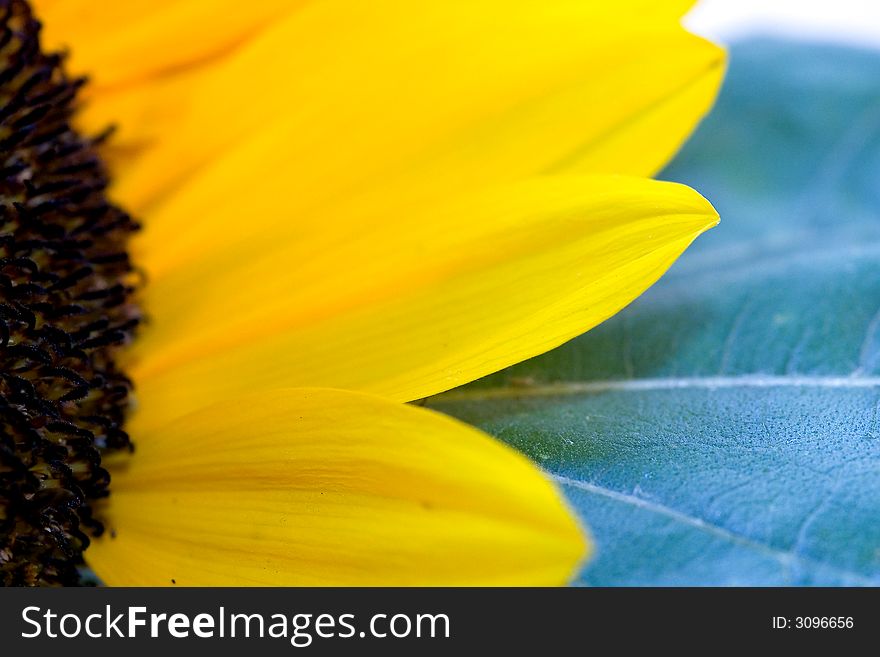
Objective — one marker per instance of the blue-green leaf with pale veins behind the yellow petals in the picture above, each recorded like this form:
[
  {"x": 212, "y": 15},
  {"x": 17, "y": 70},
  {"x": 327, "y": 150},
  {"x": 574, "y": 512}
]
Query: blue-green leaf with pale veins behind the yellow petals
[{"x": 723, "y": 430}]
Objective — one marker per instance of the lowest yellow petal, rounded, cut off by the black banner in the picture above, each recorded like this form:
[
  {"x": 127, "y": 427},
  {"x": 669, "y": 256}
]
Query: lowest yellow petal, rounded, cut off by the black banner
[{"x": 322, "y": 487}]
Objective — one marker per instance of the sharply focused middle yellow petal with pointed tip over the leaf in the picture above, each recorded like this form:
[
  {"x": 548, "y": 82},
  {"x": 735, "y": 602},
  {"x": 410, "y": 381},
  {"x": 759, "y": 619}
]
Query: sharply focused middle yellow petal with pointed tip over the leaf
[{"x": 412, "y": 300}]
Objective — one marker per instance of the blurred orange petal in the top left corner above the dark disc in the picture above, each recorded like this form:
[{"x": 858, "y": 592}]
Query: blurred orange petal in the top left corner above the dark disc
[{"x": 130, "y": 40}]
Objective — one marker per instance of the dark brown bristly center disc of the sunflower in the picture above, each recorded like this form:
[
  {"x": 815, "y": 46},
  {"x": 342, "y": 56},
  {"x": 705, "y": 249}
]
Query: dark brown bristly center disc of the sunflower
[{"x": 65, "y": 310}]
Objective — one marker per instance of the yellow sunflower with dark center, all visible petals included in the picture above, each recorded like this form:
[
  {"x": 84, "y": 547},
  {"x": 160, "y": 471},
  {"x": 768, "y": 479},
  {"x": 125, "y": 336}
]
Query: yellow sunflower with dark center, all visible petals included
[{"x": 346, "y": 206}]
